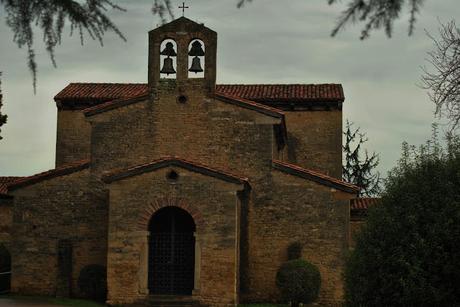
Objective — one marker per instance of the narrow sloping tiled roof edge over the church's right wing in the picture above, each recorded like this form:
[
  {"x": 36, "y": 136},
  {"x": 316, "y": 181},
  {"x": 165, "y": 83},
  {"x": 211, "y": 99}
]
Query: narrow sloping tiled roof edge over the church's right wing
[{"x": 315, "y": 176}]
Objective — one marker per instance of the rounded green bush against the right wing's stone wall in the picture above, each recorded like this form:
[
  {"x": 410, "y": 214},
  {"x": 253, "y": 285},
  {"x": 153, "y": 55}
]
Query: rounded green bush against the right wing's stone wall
[{"x": 299, "y": 281}]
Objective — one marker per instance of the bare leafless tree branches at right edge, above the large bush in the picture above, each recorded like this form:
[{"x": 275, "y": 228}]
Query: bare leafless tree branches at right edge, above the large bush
[{"x": 443, "y": 80}]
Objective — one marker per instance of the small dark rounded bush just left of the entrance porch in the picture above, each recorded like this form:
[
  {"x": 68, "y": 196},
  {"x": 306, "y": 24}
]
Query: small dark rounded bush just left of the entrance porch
[{"x": 93, "y": 282}]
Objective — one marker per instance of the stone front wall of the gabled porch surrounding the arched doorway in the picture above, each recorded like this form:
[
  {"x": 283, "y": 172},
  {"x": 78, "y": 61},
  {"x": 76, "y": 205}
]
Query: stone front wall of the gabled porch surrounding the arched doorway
[{"x": 212, "y": 203}]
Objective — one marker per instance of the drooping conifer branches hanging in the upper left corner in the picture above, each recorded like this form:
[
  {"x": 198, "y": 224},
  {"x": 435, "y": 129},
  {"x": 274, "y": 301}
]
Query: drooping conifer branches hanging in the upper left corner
[{"x": 51, "y": 16}]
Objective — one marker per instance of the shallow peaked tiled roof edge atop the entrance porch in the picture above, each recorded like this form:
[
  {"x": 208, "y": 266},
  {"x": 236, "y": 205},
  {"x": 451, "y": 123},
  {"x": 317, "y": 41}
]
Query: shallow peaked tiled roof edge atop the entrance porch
[{"x": 174, "y": 161}]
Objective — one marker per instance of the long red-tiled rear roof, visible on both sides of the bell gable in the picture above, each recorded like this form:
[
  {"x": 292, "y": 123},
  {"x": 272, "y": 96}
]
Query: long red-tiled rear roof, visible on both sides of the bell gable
[{"x": 83, "y": 95}]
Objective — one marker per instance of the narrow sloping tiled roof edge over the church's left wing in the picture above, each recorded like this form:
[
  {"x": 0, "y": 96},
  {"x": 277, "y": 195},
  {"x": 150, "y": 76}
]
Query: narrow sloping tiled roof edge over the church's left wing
[{"x": 59, "y": 171}]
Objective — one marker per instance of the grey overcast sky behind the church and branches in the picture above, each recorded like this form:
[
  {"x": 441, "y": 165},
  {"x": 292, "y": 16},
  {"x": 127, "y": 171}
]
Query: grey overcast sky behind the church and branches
[{"x": 268, "y": 41}]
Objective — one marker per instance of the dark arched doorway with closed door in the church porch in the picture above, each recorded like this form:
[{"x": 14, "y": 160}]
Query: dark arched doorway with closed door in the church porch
[{"x": 171, "y": 252}]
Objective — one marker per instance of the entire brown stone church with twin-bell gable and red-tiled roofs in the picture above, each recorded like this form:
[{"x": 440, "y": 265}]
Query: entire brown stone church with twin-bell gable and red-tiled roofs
[{"x": 182, "y": 187}]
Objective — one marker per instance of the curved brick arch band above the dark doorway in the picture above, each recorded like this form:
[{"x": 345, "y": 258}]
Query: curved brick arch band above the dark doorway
[{"x": 169, "y": 202}]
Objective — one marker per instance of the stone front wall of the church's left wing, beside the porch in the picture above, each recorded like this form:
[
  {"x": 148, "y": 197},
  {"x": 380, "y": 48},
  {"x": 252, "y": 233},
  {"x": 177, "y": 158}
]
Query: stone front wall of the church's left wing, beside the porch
[{"x": 61, "y": 208}]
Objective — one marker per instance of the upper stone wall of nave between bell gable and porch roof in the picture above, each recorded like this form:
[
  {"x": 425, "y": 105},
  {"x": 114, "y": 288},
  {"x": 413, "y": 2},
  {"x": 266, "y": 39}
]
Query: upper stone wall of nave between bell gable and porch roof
[{"x": 203, "y": 130}]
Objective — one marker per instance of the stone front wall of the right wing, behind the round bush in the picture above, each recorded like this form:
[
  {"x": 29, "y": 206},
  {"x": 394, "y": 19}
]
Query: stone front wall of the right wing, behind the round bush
[{"x": 295, "y": 209}]
